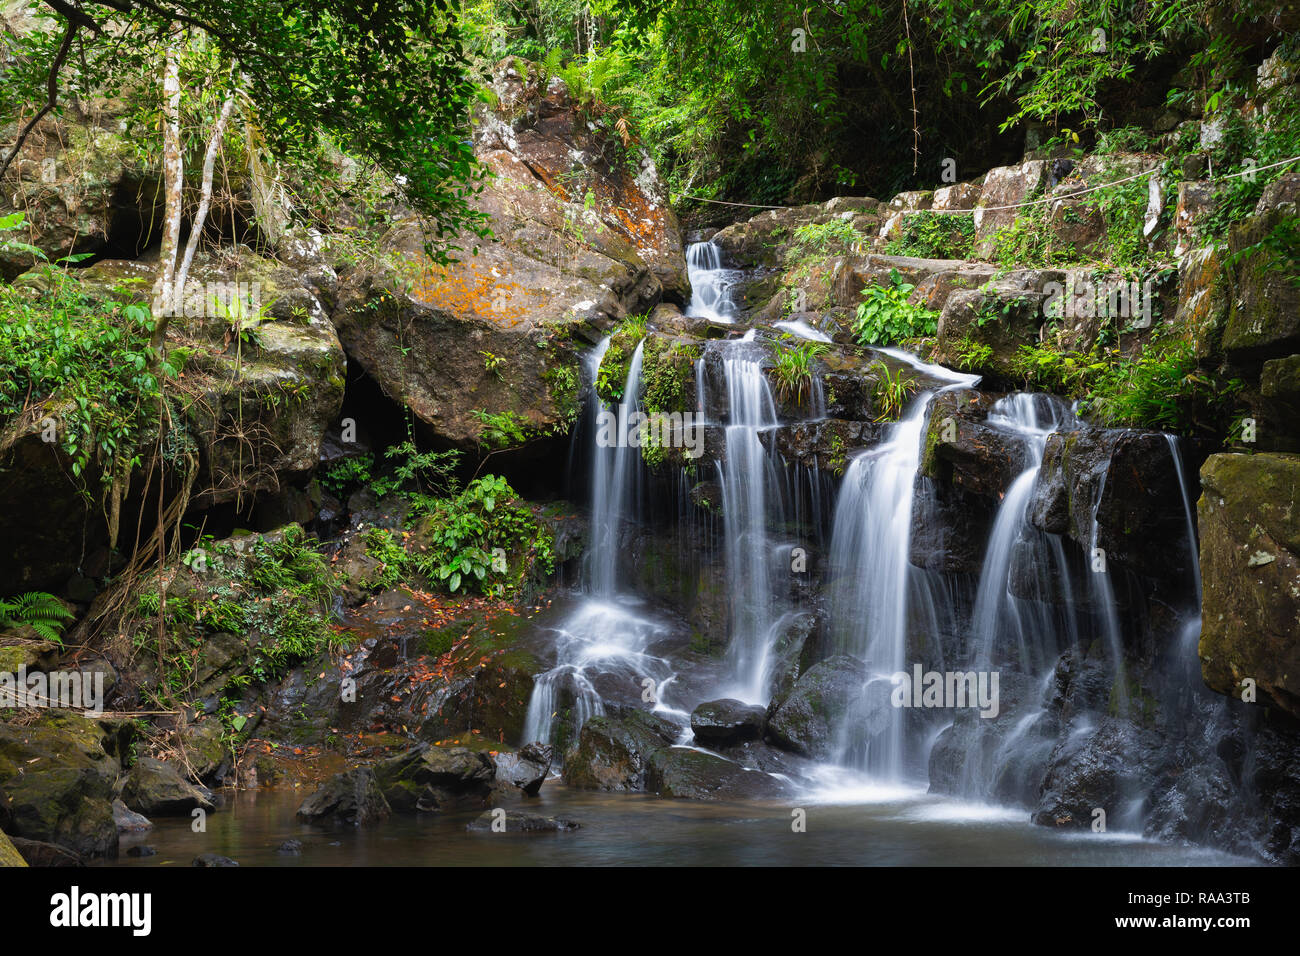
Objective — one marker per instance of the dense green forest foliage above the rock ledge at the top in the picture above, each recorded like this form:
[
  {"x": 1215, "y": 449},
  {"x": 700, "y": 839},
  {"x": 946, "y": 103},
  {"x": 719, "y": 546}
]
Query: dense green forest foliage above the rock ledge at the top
[{"x": 773, "y": 101}]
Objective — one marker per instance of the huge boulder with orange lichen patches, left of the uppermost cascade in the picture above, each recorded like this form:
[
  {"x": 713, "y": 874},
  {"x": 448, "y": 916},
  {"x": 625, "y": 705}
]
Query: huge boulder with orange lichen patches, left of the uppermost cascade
[{"x": 579, "y": 241}]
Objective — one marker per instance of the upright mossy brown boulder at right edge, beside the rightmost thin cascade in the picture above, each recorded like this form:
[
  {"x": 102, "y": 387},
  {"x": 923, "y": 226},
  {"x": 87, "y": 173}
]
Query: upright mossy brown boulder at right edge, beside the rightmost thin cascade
[{"x": 1251, "y": 576}]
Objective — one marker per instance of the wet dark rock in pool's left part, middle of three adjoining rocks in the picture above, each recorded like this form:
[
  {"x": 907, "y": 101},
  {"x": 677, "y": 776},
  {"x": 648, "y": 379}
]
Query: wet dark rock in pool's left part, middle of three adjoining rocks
[{"x": 436, "y": 780}]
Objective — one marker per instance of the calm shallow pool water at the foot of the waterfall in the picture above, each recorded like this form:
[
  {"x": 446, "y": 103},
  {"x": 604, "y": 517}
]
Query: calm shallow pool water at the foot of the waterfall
[{"x": 847, "y": 825}]
